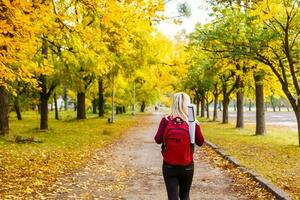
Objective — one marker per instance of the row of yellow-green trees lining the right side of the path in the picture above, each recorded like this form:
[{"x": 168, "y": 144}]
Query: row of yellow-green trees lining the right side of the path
[{"x": 247, "y": 45}]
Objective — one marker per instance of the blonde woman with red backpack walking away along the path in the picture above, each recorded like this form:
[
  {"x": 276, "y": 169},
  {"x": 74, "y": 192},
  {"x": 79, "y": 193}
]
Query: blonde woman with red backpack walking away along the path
[{"x": 177, "y": 151}]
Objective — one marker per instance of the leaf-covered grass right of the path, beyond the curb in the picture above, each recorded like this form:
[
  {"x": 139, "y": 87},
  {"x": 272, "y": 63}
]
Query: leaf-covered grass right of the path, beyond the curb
[{"x": 276, "y": 156}]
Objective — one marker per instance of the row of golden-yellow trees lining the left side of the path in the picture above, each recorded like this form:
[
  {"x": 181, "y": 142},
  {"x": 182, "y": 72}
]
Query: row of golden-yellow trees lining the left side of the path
[{"x": 88, "y": 49}]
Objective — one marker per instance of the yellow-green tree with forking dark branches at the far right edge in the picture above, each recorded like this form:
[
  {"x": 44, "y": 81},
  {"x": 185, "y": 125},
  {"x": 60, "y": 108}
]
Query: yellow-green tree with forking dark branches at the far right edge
[{"x": 273, "y": 38}]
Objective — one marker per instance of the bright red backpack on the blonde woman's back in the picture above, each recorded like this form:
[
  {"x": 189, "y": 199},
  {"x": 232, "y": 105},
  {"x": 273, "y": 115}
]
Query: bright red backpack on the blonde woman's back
[{"x": 176, "y": 148}]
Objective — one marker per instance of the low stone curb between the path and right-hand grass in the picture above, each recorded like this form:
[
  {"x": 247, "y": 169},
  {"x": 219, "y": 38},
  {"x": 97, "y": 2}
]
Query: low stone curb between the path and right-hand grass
[{"x": 266, "y": 184}]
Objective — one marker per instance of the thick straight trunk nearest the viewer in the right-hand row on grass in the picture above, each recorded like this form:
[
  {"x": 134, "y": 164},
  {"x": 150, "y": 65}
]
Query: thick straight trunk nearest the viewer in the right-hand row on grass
[{"x": 260, "y": 108}]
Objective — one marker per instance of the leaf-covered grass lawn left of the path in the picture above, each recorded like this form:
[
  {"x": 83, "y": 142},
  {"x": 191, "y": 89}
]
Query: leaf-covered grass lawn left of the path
[{"x": 26, "y": 168}]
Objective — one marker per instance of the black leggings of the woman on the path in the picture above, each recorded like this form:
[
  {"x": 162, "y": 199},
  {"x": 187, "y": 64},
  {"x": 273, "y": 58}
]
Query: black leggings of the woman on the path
[{"x": 181, "y": 176}]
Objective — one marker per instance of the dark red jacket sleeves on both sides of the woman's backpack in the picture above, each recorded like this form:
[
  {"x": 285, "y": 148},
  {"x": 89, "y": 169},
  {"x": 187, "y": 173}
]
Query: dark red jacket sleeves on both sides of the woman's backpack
[{"x": 199, "y": 139}]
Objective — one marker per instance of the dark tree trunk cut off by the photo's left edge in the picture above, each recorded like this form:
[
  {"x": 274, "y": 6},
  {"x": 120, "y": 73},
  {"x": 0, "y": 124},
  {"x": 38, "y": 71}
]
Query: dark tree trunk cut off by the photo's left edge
[{"x": 4, "y": 125}]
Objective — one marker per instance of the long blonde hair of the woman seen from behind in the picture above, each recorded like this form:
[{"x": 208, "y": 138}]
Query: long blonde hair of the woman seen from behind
[{"x": 180, "y": 104}]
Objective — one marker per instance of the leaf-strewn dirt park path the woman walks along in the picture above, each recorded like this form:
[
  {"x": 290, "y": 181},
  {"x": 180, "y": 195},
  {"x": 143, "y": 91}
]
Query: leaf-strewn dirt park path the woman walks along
[{"x": 131, "y": 169}]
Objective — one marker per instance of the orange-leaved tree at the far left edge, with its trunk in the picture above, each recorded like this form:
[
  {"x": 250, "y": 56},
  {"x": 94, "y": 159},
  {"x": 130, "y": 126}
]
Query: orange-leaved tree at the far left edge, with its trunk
[{"x": 16, "y": 46}]
